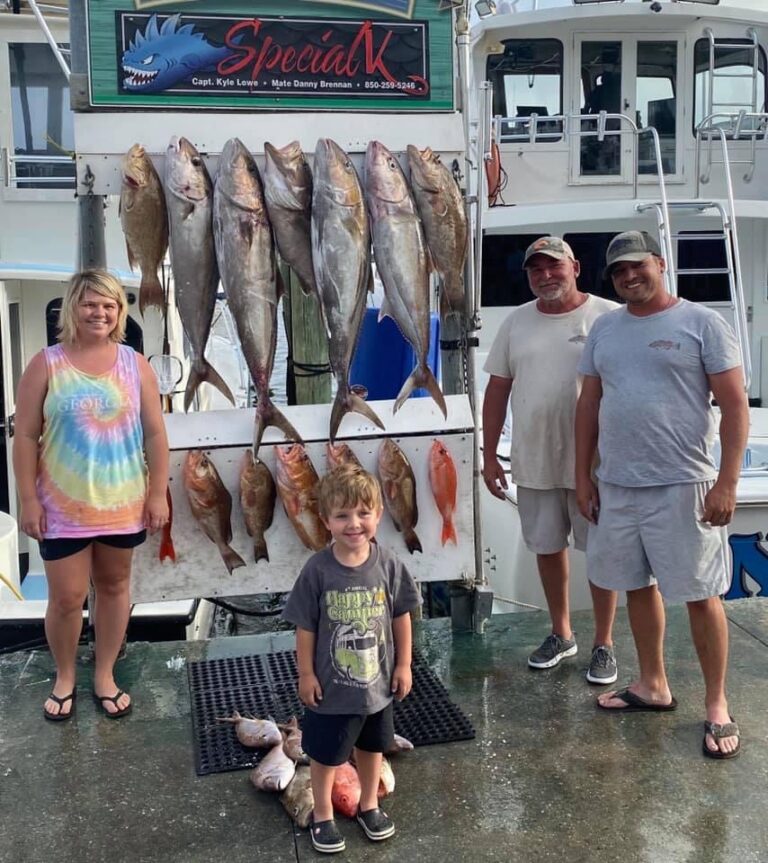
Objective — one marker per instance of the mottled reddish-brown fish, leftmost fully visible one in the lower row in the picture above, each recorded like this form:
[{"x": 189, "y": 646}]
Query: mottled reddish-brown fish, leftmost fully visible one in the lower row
[{"x": 211, "y": 504}]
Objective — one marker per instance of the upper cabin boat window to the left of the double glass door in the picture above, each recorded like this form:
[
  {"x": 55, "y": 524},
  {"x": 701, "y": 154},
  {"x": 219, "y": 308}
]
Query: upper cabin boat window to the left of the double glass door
[{"x": 528, "y": 79}]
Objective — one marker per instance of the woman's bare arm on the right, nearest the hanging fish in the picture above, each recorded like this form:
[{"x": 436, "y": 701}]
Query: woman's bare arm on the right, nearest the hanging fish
[{"x": 155, "y": 447}]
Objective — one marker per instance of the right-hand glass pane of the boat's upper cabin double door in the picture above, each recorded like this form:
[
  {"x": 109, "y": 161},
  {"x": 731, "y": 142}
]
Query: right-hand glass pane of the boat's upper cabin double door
[{"x": 656, "y": 104}]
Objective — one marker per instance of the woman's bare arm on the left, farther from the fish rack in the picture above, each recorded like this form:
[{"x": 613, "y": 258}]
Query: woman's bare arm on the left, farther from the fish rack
[{"x": 33, "y": 387}]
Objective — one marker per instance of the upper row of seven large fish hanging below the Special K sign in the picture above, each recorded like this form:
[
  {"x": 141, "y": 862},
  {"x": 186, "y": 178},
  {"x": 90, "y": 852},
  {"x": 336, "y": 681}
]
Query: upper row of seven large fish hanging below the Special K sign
[{"x": 323, "y": 224}]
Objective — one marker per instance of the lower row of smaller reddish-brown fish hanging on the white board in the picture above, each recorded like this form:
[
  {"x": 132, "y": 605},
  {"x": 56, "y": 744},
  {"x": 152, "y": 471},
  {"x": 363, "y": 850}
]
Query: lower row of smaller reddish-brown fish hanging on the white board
[{"x": 295, "y": 482}]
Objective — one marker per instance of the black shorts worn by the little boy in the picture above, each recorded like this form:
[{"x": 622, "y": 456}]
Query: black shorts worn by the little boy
[{"x": 328, "y": 738}]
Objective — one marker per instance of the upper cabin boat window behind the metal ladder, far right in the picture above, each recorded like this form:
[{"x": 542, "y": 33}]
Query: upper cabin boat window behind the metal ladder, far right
[{"x": 734, "y": 86}]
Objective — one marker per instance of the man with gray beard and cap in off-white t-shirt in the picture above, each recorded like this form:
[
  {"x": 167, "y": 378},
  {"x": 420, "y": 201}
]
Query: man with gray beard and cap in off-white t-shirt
[{"x": 534, "y": 358}]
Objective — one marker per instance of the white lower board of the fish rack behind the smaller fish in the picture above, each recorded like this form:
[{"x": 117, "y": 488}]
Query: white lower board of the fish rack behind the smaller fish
[{"x": 225, "y": 435}]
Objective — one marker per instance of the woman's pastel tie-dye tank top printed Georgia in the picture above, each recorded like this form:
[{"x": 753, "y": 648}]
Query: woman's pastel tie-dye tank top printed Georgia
[{"x": 91, "y": 471}]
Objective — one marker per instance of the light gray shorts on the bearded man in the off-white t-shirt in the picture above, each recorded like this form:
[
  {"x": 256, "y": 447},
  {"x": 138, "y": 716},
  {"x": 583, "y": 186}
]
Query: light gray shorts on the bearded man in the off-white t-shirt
[{"x": 548, "y": 516}]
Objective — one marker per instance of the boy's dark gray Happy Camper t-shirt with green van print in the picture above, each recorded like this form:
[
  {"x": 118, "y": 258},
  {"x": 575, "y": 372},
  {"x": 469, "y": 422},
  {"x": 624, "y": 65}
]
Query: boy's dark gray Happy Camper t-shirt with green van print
[{"x": 351, "y": 609}]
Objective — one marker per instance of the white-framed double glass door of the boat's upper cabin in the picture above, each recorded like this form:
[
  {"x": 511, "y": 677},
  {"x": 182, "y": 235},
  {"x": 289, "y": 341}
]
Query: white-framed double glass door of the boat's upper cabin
[{"x": 638, "y": 76}]
